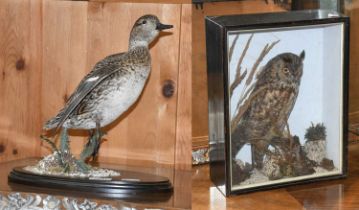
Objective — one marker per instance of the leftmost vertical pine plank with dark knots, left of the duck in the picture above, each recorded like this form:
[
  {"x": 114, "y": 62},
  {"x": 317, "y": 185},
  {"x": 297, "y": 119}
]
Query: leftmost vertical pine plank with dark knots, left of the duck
[{"x": 20, "y": 76}]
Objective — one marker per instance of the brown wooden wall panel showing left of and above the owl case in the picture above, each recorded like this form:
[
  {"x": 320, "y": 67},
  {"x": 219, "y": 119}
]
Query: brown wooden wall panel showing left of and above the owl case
[{"x": 199, "y": 73}]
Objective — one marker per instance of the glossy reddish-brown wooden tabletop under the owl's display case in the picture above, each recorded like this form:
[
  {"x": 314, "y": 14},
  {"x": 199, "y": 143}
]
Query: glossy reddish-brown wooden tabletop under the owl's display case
[{"x": 336, "y": 194}]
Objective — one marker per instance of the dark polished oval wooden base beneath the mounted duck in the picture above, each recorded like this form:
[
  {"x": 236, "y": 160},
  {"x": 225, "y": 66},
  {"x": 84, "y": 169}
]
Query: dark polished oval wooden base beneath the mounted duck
[{"x": 128, "y": 185}]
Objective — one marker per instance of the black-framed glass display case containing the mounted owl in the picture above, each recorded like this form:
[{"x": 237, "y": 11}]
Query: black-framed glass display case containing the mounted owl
[{"x": 277, "y": 98}]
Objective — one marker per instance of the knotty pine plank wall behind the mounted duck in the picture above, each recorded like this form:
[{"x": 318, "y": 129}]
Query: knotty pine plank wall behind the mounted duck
[{"x": 69, "y": 38}]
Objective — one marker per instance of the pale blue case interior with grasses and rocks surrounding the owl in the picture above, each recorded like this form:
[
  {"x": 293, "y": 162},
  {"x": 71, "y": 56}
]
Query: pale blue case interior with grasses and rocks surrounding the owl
[{"x": 316, "y": 116}]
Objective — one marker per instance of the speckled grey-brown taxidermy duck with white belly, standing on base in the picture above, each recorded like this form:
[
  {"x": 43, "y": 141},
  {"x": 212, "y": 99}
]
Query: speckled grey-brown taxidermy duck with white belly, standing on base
[{"x": 111, "y": 88}]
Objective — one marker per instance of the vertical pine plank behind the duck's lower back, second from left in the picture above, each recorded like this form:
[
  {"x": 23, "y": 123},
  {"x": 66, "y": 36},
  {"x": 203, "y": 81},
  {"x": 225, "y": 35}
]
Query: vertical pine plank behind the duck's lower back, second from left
[{"x": 64, "y": 58}]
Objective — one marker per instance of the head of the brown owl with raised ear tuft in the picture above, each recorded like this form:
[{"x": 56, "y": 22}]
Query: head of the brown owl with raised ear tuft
[{"x": 285, "y": 69}]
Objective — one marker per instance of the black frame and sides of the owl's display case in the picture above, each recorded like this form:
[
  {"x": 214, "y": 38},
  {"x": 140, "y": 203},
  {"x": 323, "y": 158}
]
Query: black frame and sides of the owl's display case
[{"x": 217, "y": 28}]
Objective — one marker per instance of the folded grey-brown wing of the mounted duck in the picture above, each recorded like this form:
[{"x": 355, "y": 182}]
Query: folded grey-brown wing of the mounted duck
[{"x": 101, "y": 71}]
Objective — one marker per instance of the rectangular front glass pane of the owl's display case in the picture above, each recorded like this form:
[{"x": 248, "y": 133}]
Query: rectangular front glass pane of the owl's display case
[{"x": 285, "y": 94}]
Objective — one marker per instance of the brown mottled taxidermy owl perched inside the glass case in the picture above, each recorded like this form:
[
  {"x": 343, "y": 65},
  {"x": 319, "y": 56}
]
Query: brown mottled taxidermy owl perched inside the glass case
[{"x": 269, "y": 105}]
